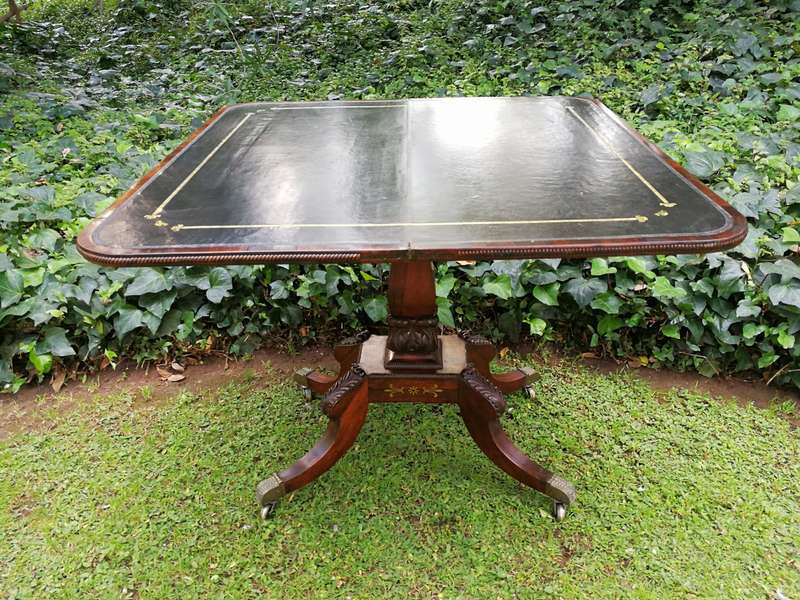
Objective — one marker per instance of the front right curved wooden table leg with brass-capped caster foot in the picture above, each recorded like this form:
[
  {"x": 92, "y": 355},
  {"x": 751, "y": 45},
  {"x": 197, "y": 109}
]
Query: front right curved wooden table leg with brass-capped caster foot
[{"x": 481, "y": 404}]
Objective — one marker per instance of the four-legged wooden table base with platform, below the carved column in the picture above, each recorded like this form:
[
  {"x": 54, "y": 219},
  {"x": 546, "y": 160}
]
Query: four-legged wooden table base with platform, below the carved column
[{"x": 464, "y": 378}]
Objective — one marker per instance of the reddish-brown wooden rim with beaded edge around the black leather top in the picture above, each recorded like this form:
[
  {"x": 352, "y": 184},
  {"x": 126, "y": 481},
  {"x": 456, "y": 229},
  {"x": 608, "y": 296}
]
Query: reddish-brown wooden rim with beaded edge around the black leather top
[{"x": 725, "y": 238}]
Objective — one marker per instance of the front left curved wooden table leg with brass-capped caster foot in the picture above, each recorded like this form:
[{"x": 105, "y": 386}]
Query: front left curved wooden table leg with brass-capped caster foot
[{"x": 345, "y": 404}]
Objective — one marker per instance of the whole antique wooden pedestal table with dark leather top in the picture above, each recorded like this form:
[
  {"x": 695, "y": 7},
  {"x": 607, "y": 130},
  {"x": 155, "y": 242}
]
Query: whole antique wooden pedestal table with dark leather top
[{"x": 409, "y": 182}]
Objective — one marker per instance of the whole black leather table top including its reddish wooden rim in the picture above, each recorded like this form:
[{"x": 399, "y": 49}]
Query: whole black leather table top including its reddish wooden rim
[{"x": 440, "y": 179}]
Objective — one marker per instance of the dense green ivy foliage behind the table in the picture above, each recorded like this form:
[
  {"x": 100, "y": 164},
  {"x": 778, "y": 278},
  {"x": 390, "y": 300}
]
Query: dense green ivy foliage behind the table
[{"x": 89, "y": 101}]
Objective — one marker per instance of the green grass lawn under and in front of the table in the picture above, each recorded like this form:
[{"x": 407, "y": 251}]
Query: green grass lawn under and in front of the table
[{"x": 680, "y": 496}]
